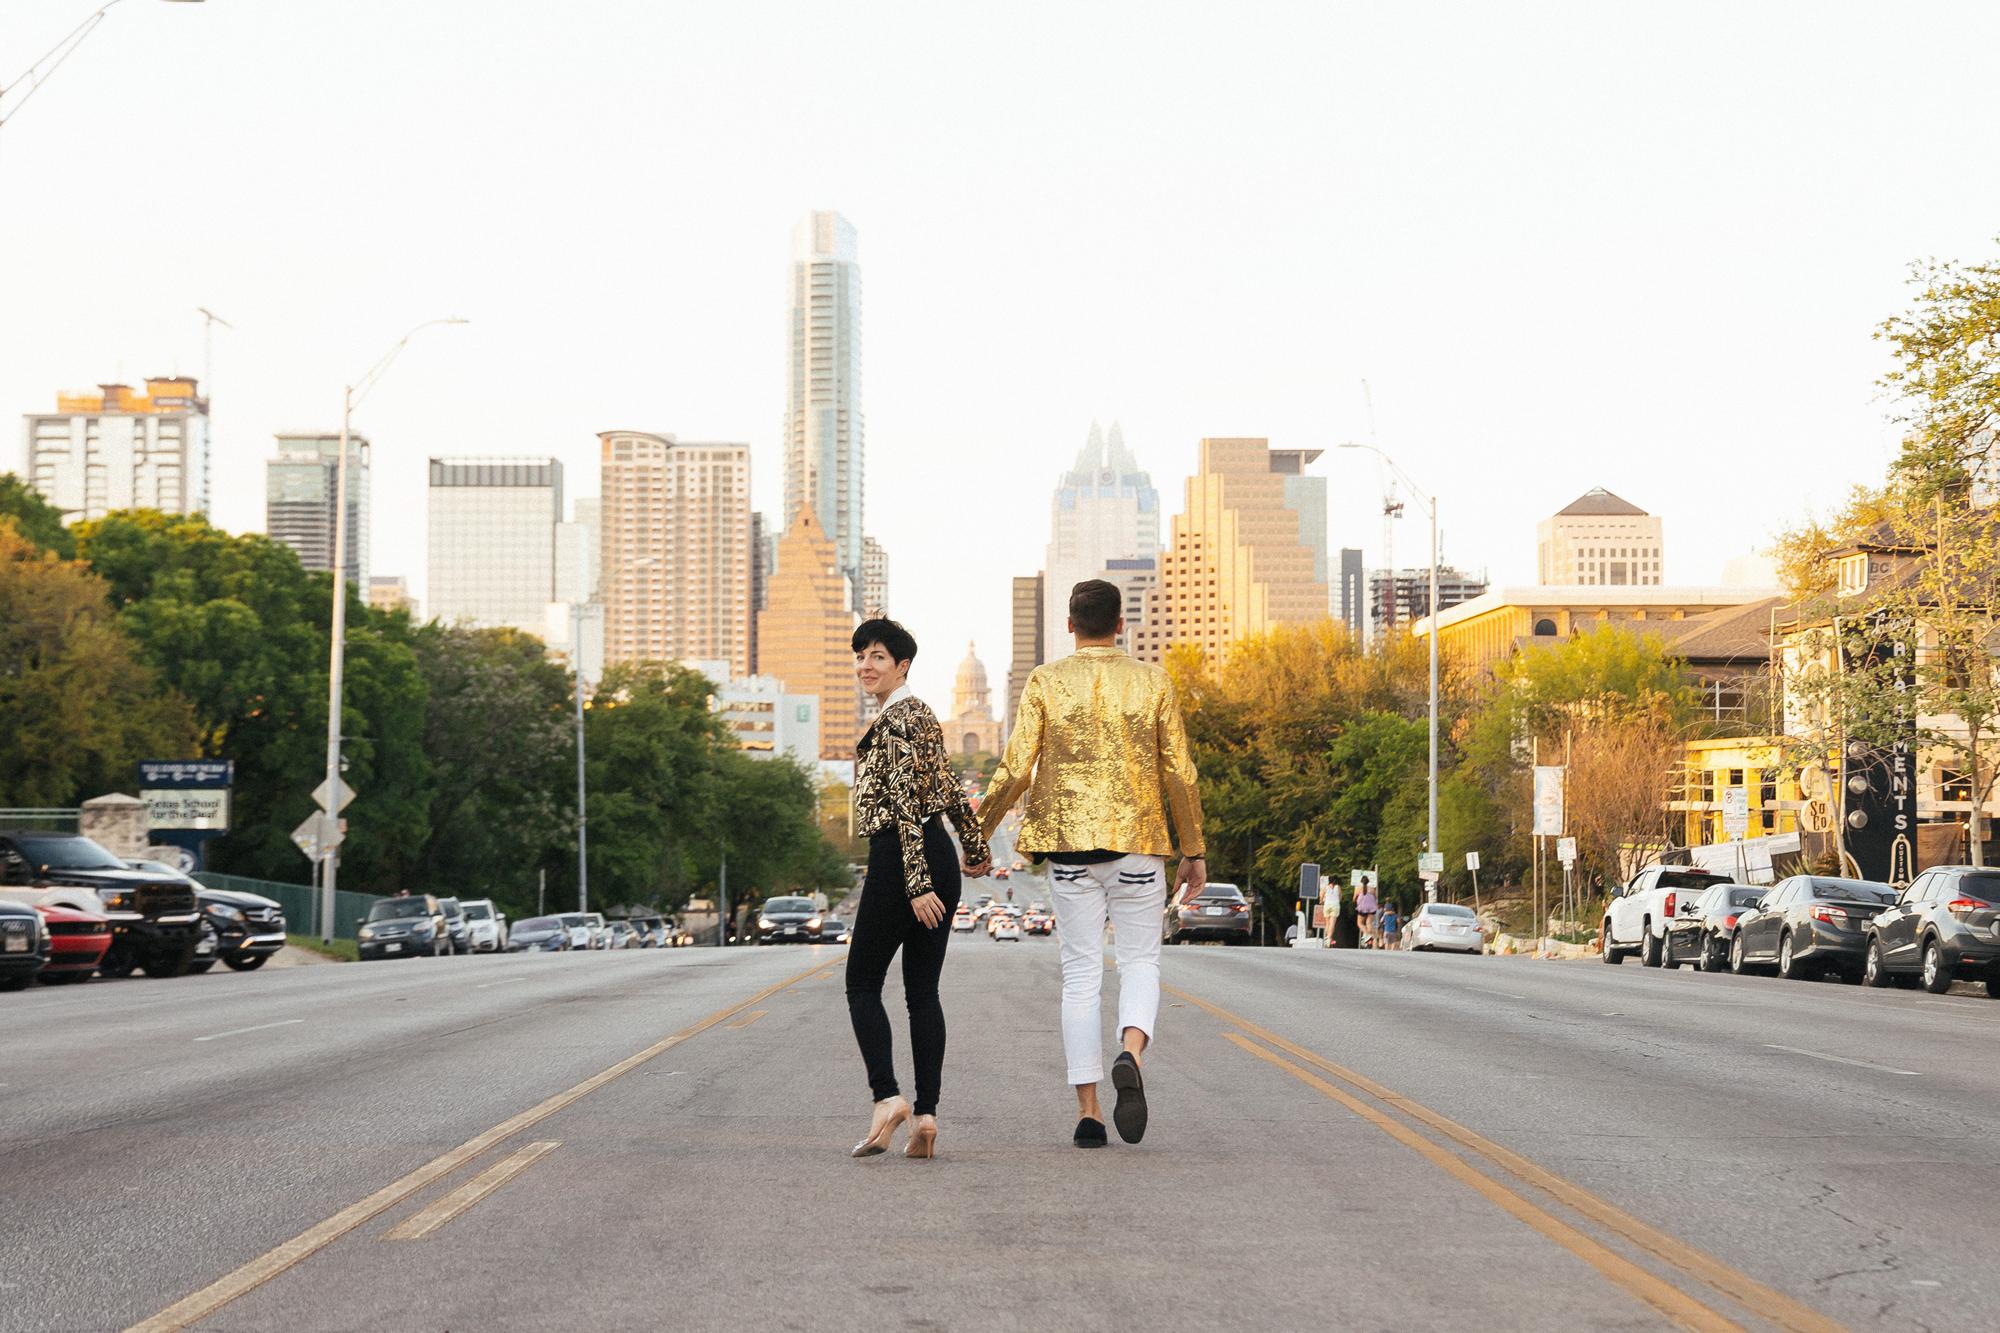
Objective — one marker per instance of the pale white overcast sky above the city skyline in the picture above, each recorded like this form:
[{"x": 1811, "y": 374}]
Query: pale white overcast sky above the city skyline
[{"x": 1567, "y": 245}]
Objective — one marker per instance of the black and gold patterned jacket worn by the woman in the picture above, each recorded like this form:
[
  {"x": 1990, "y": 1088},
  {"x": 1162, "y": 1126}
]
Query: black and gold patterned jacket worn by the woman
[{"x": 903, "y": 776}]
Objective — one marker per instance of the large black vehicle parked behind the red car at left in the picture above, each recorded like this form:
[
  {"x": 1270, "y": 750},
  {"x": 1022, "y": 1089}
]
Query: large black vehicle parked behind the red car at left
[{"x": 155, "y": 920}]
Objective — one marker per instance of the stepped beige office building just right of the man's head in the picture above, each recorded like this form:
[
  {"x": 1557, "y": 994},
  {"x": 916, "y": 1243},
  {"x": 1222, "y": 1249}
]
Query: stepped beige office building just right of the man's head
[{"x": 1249, "y": 551}]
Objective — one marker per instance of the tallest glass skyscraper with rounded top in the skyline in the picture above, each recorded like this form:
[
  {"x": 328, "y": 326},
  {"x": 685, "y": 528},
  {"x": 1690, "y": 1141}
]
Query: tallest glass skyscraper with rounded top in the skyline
[{"x": 823, "y": 423}]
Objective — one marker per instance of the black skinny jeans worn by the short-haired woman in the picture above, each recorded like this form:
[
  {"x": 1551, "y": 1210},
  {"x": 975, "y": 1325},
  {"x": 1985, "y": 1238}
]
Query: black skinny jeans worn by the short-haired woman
[{"x": 883, "y": 926}]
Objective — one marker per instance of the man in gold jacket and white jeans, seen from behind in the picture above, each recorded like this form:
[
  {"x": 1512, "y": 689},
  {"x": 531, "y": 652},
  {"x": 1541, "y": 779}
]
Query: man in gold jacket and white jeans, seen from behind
[{"x": 1103, "y": 758}]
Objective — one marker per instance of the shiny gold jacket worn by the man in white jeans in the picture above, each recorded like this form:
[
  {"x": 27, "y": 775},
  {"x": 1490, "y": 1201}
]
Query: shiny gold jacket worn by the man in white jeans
[{"x": 1101, "y": 752}]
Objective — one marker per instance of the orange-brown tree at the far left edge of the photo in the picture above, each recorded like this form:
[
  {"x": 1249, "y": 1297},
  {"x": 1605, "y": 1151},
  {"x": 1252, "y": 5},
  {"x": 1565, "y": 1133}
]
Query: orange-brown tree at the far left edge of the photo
[{"x": 79, "y": 708}]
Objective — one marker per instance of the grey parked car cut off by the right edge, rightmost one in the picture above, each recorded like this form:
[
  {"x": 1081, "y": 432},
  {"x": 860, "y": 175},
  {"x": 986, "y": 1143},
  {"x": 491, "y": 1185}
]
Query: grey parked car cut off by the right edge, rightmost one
[{"x": 1945, "y": 926}]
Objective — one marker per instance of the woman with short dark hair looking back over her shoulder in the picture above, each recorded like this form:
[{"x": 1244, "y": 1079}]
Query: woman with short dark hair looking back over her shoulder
[{"x": 905, "y": 790}]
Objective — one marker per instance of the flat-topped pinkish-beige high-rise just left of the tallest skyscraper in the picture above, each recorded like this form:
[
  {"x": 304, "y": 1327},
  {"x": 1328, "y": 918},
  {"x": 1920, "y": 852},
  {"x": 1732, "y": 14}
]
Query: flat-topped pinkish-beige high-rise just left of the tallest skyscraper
[{"x": 675, "y": 571}]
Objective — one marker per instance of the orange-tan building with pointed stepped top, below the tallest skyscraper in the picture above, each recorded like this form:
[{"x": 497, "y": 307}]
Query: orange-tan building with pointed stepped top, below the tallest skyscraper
[{"x": 807, "y": 627}]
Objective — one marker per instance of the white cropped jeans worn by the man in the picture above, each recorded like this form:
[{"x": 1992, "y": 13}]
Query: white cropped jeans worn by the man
[{"x": 1131, "y": 894}]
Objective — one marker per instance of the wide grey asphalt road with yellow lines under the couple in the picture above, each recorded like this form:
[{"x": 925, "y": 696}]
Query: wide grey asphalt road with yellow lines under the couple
[{"x": 1343, "y": 1140}]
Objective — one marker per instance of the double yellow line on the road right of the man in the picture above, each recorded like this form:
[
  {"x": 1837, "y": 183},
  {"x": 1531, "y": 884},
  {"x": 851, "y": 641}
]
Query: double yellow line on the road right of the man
[{"x": 1641, "y": 1282}]
